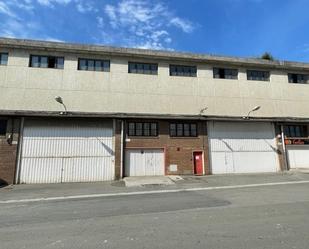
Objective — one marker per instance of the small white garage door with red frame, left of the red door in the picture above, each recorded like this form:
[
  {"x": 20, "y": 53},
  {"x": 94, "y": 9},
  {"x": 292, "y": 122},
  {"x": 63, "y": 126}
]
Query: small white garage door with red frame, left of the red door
[{"x": 144, "y": 162}]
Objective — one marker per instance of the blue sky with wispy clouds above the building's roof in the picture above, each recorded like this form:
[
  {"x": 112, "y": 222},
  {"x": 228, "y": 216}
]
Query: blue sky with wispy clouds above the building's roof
[{"x": 225, "y": 27}]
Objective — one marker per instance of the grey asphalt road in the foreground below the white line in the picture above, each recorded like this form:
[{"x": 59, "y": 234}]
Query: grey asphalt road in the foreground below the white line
[{"x": 249, "y": 218}]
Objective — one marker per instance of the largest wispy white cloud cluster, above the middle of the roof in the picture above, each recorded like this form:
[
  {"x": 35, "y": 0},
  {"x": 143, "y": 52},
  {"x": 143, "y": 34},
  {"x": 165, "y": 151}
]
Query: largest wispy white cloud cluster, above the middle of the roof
[{"x": 144, "y": 23}]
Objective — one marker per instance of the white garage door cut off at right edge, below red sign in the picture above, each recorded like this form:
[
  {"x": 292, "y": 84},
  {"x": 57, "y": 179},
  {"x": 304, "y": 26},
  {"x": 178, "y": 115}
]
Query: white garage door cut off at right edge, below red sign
[{"x": 298, "y": 156}]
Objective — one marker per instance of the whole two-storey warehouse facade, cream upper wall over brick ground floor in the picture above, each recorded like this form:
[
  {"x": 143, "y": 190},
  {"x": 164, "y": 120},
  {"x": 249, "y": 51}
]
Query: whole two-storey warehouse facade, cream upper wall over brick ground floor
[{"x": 130, "y": 112}]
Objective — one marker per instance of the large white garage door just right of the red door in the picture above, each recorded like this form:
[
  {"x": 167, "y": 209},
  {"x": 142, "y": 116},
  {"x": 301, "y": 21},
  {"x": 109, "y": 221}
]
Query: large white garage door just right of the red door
[{"x": 242, "y": 147}]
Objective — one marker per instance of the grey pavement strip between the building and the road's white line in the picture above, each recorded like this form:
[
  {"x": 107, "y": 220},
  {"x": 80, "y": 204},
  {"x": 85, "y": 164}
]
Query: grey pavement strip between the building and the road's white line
[{"x": 18, "y": 192}]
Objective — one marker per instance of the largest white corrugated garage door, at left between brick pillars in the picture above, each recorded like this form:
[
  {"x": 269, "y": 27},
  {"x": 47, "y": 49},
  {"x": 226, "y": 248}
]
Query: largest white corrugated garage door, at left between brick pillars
[{"x": 67, "y": 151}]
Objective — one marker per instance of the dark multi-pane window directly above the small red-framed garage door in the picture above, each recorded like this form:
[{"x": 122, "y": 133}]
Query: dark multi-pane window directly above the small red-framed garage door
[{"x": 145, "y": 129}]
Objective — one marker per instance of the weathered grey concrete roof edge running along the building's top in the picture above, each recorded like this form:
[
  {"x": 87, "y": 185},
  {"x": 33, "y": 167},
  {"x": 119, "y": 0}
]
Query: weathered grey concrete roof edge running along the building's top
[{"x": 145, "y": 53}]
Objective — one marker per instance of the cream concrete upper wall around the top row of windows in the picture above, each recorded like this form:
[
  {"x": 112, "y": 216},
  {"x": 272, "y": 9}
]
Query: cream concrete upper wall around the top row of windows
[{"x": 24, "y": 88}]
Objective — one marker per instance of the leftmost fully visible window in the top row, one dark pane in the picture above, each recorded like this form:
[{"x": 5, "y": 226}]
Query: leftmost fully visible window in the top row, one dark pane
[{"x": 46, "y": 61}]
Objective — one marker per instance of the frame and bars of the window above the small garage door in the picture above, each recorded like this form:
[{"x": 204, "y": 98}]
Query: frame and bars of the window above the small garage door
[{"x": 143, "y": 129}]
